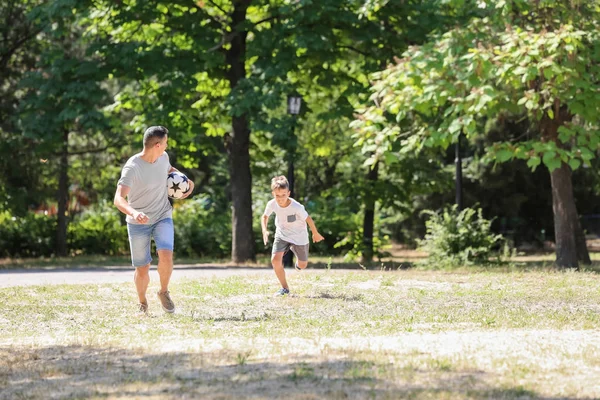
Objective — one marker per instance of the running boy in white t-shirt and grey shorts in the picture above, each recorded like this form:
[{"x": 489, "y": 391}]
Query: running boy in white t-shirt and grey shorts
[{"x": 290, "y": 233}]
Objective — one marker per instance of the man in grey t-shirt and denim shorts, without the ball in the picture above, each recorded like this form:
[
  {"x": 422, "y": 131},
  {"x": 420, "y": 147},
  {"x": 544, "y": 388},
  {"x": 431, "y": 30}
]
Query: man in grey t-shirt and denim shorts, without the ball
[{"x": 144, "y": 183}]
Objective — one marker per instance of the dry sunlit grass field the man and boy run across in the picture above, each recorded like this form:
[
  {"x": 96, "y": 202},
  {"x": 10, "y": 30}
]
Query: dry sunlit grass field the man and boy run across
[{"x": 343, "y": 334}]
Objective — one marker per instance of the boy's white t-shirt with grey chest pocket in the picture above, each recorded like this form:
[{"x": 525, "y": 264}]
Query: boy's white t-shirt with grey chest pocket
[{"x": 290, "y": 221}]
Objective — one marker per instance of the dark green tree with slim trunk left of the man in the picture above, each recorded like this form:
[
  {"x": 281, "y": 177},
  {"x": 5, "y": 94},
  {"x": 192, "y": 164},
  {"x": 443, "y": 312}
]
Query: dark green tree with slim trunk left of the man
[{"x": 61, "y": 110}]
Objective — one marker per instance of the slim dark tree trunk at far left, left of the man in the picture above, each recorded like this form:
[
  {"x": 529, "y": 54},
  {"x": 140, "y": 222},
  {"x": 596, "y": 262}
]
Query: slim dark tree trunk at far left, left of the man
[{"x": 63, "y": 198}]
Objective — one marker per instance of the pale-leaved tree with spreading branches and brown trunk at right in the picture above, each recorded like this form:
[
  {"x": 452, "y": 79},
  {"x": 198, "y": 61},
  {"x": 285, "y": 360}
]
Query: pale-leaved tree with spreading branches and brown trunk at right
[{"x": 535, "y": 60}]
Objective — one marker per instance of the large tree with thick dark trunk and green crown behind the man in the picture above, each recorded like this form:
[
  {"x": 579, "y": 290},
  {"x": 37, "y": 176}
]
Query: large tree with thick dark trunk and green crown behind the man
[{"x": 233, "y": 63}]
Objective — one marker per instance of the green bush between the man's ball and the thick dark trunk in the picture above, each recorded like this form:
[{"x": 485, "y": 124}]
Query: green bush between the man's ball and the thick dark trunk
[{"x": 201, "y": 228}]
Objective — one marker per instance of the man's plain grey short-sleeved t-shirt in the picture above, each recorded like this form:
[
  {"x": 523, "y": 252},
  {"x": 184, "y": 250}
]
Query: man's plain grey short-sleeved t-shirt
[{"x": 147, "y": 184}]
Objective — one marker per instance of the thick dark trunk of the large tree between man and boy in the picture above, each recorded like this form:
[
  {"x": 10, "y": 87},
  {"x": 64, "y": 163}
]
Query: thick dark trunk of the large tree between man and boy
[{"x": 242, "y": 246}]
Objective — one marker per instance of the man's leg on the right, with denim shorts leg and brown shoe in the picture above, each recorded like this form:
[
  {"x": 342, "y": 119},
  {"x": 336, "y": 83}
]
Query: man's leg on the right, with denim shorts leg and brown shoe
[{"x": 164, "y": 238}]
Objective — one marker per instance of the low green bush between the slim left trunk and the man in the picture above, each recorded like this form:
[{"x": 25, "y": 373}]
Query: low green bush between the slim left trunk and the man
[{"x": 98, "y": 230}]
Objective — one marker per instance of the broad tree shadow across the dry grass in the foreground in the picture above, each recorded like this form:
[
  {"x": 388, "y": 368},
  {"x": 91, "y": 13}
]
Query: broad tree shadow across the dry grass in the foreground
[{"x": 70, "y": 372}]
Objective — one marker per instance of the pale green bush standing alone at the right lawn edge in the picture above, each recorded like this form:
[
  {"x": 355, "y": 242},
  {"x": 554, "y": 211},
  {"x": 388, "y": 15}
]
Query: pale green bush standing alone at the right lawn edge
[{"x": 459, "y": 238}]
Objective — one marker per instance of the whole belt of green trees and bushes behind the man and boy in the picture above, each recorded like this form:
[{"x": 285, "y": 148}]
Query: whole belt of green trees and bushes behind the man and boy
[{"x": 392, "y": 93}]
